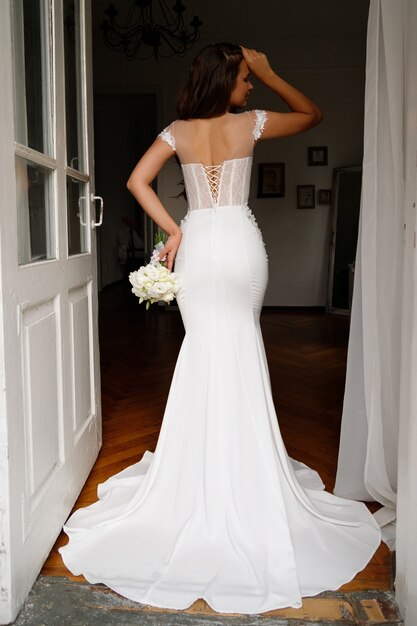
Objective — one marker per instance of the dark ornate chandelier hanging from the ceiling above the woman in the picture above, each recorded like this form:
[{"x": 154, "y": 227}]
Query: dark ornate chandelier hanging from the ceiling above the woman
[{"x": 151, "y": 28}]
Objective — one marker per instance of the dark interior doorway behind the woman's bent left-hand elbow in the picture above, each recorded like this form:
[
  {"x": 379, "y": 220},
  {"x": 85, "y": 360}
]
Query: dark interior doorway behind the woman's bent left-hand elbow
[{"x": 124, "y": 127}]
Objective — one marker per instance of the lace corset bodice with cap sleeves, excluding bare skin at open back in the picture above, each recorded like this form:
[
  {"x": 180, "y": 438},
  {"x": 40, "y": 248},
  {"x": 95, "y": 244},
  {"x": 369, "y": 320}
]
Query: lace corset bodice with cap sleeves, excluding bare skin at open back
[{"x": 222, "y": 184}]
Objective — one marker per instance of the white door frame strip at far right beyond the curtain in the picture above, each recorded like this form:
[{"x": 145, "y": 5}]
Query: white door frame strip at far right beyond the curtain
[{"x": 406, "y": 540}]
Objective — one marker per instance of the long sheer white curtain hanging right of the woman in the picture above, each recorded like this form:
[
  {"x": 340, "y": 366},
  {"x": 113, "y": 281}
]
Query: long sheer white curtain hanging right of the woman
[{"x": 368, "y": 455}]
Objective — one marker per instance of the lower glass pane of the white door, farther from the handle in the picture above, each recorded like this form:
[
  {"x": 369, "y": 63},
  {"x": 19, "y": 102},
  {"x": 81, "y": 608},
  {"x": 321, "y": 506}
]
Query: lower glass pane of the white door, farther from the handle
[{"x": 35, "y": 214}]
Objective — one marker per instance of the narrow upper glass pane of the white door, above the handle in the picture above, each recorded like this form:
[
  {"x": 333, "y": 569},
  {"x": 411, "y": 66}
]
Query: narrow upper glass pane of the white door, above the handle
[{"x": 73, "y": 93}]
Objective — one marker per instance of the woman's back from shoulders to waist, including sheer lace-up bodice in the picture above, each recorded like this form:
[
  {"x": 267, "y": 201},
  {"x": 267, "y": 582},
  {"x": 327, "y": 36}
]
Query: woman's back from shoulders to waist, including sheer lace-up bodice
[{"x": 225, "y": 183}]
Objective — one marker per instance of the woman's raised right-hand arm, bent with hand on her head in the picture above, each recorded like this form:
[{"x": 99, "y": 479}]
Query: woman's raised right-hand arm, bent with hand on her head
[{"x": 304, "y": 113}]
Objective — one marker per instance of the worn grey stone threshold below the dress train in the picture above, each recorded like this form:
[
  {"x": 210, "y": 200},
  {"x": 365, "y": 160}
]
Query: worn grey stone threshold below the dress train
[{"x": 55, "y": 600}]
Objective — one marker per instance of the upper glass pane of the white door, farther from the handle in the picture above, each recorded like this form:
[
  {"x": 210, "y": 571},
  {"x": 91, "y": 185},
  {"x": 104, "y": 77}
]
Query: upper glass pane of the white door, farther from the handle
[{"x": 32, "y": 73}]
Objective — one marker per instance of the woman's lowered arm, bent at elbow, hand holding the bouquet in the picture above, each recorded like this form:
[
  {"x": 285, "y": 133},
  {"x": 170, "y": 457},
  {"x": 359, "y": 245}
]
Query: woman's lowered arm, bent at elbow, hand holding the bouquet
[{"x": 139, "y": 184}]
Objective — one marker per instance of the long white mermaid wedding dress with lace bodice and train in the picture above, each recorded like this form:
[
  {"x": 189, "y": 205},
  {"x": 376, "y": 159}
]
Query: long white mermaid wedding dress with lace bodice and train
[{"x": 219, "y": 511}]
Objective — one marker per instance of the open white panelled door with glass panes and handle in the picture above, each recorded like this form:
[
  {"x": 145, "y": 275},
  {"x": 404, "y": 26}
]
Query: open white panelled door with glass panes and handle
[{"x": 50, "y": 426}]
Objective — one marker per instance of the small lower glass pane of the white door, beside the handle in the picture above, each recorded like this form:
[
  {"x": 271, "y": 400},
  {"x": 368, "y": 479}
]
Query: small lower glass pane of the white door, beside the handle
[{"x": 77, "y": 215}]
